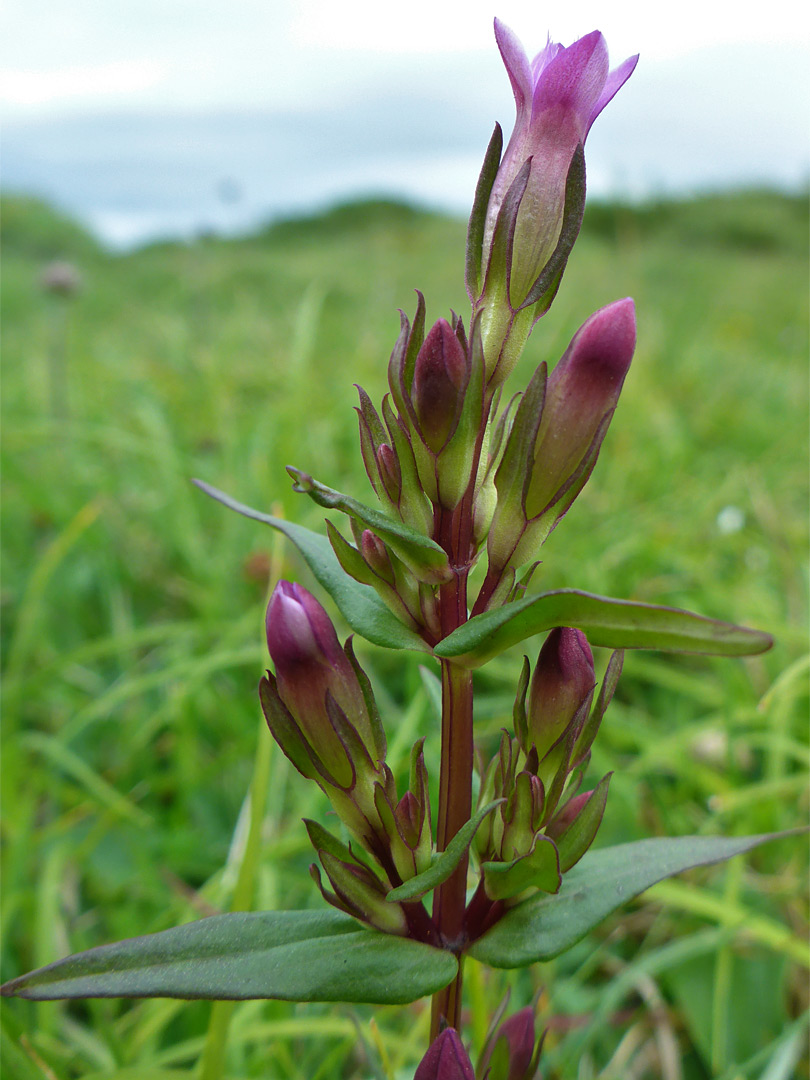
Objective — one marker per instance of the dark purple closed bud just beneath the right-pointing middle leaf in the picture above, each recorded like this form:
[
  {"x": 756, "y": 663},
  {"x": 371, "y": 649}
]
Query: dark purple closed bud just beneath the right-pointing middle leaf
[{"x": 562, "y": 687}]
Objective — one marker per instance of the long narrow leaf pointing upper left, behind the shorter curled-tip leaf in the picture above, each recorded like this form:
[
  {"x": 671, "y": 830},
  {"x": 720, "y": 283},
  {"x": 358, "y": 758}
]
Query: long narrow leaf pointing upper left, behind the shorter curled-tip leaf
[{"x": 359, "y": 604}]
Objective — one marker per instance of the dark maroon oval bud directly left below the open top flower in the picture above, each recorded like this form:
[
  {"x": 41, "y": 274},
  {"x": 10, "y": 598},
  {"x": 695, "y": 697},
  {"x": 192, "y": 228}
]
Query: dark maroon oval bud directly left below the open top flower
[{"x": 441, "y": 375}]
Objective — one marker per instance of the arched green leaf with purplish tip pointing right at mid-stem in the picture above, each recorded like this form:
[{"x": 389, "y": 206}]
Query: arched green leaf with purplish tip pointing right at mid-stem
[{"x": 615, "y": 625}]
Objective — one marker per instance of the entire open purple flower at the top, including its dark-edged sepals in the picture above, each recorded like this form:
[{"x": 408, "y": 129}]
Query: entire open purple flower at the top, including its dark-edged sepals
[{"x": 524, "y": 228}]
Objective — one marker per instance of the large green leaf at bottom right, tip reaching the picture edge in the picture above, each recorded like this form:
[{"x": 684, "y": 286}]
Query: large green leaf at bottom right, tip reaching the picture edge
[{"x": 544, "y": 927}]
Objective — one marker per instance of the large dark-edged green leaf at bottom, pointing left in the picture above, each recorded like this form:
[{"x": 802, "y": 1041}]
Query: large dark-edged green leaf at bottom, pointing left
[{"x": 293, "y": 956}]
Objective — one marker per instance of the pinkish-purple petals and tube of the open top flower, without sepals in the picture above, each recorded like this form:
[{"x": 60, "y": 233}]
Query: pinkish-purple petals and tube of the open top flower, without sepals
[{"x": 558, "y": 98}]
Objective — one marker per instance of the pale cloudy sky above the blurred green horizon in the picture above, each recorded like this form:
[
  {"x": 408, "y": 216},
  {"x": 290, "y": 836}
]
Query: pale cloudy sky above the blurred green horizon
[{"x": 166, "y": 123}]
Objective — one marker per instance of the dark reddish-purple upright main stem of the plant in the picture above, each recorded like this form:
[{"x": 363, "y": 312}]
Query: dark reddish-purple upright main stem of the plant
[{"x": 455, "y": 782}]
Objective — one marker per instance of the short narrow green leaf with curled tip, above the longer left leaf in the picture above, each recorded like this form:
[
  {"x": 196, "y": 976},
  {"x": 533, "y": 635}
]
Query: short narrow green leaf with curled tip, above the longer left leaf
[{"x": 423, "y": 557}]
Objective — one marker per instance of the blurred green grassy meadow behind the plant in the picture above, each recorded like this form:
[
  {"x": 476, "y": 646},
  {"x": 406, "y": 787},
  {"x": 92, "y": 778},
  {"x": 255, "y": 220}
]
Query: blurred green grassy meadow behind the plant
[{"x": 132, "y": 619}]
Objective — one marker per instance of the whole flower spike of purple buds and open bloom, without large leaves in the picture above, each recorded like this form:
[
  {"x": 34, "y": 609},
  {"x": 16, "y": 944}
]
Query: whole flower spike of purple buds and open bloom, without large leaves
[{"x": 455, "y": 477}]
